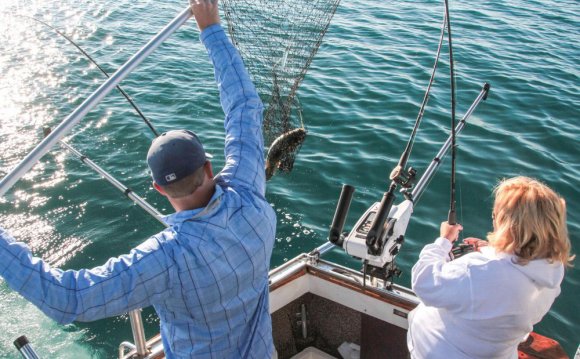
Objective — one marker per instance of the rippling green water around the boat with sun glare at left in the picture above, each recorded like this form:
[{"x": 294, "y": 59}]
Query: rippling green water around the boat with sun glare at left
[{"x": 360, "y": 99}]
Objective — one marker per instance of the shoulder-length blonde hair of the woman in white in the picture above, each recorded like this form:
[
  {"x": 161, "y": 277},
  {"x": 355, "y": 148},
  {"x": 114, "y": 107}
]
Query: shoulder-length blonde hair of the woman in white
[{"x": 530, "y": 222}]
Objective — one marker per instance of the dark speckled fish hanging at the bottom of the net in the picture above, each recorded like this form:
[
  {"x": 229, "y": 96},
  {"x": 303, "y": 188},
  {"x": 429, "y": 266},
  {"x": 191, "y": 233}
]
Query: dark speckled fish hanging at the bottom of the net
[{"x": 280, "y": 154}]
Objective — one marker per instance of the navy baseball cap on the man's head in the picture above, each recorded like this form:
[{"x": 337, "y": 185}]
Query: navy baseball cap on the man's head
[{"x": 175, "y": 155}]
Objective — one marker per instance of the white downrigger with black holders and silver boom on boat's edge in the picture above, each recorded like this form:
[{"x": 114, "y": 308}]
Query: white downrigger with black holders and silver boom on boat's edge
[{"x": 388, "y": 220}]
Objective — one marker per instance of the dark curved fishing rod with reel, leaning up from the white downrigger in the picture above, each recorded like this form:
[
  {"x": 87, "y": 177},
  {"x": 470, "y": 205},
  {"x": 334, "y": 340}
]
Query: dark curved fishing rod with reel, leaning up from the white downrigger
[{"x": 400, "y": 175}]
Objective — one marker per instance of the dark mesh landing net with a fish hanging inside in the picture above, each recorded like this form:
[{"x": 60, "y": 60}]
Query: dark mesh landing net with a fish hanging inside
[{"x": 278, "y": 40}]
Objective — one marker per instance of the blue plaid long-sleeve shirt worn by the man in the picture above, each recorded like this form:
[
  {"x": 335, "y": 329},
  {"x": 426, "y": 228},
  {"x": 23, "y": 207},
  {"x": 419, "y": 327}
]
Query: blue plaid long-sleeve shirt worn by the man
[{"x": 207, "y": 274}]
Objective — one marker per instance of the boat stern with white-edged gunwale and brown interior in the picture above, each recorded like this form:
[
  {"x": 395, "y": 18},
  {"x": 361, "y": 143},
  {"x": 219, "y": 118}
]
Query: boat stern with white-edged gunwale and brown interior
[{"x": 319, "y": 304}]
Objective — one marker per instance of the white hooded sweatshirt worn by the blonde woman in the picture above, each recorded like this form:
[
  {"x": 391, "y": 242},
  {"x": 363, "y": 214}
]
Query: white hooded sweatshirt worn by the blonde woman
[{"x": 481, "y": 305}]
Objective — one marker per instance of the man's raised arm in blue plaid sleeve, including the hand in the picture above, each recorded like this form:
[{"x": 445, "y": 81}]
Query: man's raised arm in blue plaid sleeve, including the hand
[{"x": 243, "y": 108}]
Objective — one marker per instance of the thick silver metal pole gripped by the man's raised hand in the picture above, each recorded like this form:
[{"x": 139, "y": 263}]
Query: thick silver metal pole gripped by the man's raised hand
[{"x": 93, "y": 100}]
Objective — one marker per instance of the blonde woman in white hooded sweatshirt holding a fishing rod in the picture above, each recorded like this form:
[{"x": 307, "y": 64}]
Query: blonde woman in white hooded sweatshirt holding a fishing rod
[{"x": 482, "y": 305}]
